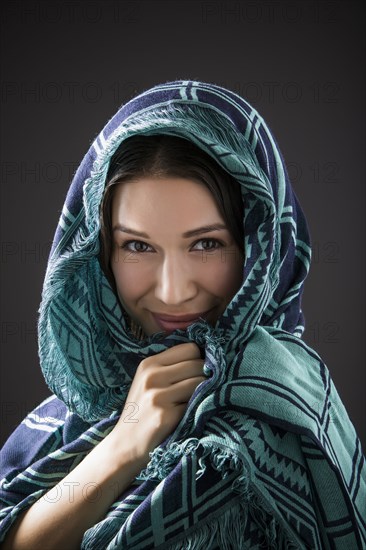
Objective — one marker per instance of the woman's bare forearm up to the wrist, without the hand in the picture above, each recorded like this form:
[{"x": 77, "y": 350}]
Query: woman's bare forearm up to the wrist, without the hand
[{"x": 59, "y": 519}]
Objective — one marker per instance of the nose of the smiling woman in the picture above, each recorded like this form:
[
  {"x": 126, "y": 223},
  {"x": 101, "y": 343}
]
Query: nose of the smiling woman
[{"x": 174, "y": 281}]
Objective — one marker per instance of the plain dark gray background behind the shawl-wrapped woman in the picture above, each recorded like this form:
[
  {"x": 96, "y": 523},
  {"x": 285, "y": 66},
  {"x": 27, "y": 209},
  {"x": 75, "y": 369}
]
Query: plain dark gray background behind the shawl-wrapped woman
[{"x": 67, "y": 66}]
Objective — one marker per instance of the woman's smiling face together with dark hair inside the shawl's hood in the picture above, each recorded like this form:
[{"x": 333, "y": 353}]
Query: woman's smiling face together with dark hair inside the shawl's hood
[{"x": 189, "y": 265}]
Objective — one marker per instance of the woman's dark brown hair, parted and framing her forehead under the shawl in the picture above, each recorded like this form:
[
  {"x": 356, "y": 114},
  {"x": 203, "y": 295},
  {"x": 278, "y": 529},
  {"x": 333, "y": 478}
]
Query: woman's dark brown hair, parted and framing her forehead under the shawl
[{"x": 161, "y": 156}]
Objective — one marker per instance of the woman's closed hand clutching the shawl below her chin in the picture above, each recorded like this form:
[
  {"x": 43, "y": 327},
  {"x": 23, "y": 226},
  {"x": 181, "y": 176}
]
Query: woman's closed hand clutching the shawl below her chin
[{"x": 157, "y": 400}]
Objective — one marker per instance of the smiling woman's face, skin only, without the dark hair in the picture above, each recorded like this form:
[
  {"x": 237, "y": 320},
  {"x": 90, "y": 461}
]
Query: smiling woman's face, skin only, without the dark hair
[{"x": 173, "y": 259}]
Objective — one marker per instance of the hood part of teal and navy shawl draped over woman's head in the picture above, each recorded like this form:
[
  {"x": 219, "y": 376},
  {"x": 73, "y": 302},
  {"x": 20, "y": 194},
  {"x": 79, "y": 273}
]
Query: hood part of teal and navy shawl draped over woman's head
[{"x": 88, "y": 353}]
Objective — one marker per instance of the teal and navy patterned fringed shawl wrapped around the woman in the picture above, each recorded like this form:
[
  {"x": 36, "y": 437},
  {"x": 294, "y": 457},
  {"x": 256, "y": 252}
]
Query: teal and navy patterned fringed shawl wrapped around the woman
[{"x": 265, "y": 454}]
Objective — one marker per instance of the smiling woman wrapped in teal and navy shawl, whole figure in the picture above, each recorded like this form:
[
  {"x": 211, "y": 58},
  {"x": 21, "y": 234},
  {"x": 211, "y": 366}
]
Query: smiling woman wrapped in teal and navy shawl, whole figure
[{"x": 187, "y": 413}]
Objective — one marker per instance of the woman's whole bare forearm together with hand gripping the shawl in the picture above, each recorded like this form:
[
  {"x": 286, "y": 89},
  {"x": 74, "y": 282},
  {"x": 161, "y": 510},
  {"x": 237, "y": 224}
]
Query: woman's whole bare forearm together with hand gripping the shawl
[{"x": 162, "y": 387}]
